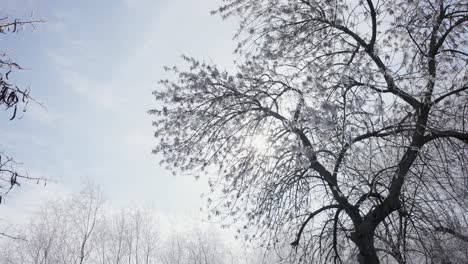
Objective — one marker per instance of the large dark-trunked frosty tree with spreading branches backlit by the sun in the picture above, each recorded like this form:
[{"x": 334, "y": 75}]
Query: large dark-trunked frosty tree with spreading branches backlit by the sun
[{"x": 361, "y": 107}]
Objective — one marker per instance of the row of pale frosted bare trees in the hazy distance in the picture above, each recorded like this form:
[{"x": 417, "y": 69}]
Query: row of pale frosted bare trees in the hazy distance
[{"x": 80, "y": 229}]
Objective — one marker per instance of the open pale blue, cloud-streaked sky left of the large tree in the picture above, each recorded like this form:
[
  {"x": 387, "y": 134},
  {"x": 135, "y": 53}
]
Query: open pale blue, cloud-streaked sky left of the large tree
[{"x": 93, "y": 65}]
